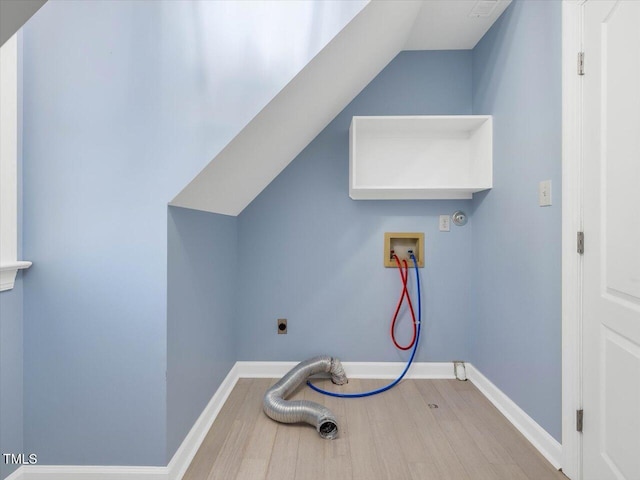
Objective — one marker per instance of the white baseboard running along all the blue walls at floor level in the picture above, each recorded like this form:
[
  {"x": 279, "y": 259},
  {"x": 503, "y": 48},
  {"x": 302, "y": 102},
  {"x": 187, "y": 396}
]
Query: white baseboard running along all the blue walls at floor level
[{"x": 176, "y": 469}]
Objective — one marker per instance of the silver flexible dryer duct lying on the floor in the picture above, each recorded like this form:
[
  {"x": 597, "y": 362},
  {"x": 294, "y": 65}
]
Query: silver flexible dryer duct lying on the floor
[{"x": 281, "y": 410}]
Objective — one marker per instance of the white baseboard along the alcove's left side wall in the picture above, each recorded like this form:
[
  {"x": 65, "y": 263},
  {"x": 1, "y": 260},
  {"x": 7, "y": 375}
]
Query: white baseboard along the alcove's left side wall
[{"x": 184, "y": 455}]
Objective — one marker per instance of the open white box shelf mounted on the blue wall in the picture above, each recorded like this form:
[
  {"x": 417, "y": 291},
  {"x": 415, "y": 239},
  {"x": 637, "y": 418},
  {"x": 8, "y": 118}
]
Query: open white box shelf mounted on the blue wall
[{"x": 420, "y": 157}]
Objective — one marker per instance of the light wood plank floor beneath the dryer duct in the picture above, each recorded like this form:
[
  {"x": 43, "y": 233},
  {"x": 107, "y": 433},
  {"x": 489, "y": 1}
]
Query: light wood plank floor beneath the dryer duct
[{"x": 393, "y": 436}]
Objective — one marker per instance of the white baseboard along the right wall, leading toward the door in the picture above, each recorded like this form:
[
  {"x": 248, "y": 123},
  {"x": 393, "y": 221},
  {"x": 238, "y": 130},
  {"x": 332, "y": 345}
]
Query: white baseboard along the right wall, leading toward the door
[{"x": 548, "y": 446}]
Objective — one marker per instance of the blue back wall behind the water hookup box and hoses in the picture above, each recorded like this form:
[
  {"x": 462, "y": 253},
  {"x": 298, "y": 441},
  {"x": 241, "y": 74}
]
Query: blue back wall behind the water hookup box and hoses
[{"x": 314, "y": 256}]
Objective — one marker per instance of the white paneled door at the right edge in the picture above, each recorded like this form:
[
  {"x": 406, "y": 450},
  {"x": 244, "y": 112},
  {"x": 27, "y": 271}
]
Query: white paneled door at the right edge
[{"x": 611, "y": 294}]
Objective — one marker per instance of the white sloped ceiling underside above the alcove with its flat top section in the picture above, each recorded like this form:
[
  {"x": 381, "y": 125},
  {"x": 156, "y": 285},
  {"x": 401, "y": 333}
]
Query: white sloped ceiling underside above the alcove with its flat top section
[{"x": 333, "y": 78}]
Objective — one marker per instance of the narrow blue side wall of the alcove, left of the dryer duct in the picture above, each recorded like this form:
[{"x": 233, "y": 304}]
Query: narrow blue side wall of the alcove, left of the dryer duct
[{"x": 202, "y": 271}]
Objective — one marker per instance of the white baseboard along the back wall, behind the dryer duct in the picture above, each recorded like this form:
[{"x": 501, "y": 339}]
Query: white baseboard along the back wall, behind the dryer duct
[{"x": 383, "y": 370}]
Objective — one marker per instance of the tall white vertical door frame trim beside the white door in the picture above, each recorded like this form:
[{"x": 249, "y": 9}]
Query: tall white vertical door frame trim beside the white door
[{"x": 571, "y": 224}]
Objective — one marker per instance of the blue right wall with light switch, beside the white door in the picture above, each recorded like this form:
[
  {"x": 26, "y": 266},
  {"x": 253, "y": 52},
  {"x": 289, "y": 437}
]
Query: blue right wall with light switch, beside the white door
[{"x": 517, "y": 244}]
